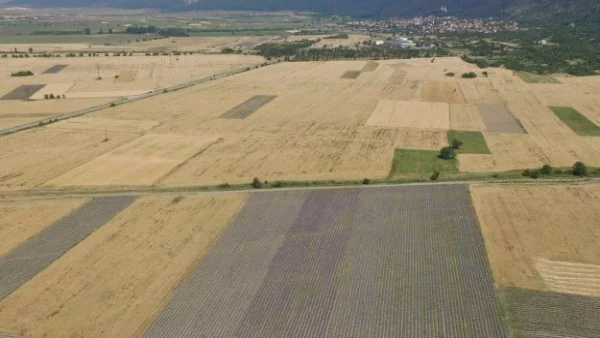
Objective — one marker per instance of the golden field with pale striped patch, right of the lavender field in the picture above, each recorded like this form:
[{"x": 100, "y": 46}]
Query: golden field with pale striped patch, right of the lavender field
[{"x": 542, "y": 237}]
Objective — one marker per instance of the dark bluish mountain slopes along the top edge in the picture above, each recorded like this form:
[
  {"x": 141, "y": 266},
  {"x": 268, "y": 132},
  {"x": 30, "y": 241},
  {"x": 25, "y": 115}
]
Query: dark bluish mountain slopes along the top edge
[{"x": 519, "y": 9}]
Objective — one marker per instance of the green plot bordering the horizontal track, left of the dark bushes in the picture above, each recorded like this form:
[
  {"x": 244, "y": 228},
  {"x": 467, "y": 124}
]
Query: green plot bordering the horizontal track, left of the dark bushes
[{"x": 420, "y": 162}]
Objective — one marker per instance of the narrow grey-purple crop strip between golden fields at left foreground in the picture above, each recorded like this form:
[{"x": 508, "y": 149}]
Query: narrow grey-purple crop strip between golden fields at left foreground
[{"x": 35, "y": 254}]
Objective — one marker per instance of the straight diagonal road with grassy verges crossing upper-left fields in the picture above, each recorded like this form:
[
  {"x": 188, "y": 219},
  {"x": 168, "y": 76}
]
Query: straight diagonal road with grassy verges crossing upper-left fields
[{"x": 124, "y": 100}]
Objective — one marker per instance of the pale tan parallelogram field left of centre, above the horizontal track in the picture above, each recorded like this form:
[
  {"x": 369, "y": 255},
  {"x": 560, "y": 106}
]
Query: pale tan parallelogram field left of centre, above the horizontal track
[{"x": 142, "y": 161}]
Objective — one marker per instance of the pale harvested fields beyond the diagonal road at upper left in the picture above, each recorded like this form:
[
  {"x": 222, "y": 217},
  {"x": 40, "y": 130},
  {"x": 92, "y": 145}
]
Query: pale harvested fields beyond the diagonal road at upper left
[{"x": 98, "y": 74}]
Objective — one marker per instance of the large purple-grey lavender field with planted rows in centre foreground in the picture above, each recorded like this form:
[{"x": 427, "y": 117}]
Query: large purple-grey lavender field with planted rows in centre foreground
[{"x": 377, "y": 262}]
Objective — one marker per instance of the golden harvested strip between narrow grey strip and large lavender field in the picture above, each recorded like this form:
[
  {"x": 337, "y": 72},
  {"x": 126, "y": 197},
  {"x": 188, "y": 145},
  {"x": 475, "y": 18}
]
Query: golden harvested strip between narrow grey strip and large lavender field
[{"x": 115, "y": 281}]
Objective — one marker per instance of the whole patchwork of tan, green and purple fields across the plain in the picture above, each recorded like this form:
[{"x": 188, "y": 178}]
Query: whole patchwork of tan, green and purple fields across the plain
[{"x": 264, "y": 200}]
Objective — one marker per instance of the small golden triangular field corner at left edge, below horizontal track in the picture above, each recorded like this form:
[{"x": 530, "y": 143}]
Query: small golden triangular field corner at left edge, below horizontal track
[{"x": 22, "y": 219}]
